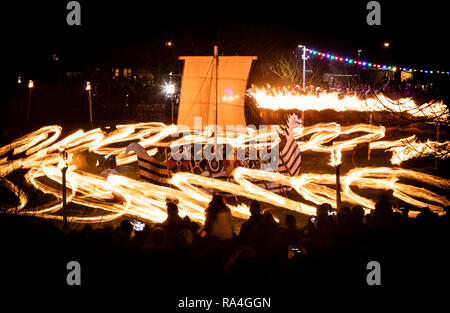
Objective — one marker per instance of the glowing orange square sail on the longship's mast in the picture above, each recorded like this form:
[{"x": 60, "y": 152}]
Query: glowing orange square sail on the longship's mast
[{"x": 198, "y": 90}]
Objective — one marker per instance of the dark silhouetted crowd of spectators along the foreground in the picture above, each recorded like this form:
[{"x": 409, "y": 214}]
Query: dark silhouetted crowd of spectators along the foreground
[{"x": 333, "y": 247}]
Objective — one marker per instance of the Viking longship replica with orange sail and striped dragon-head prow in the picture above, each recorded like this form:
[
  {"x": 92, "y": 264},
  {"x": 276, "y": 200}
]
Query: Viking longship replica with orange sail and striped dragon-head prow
[{"x": 212, "y": 101}]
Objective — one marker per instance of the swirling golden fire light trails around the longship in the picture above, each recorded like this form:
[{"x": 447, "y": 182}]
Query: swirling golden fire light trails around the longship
[{"x": 119, "y": 195}]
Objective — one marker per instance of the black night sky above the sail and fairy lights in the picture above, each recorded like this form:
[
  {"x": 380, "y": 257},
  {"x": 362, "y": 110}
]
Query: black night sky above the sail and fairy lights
[{"x": 121, "y": 30}]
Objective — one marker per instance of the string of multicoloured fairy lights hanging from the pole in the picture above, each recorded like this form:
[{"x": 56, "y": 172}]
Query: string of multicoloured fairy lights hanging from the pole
[{"x": 370, "y": 65}]
